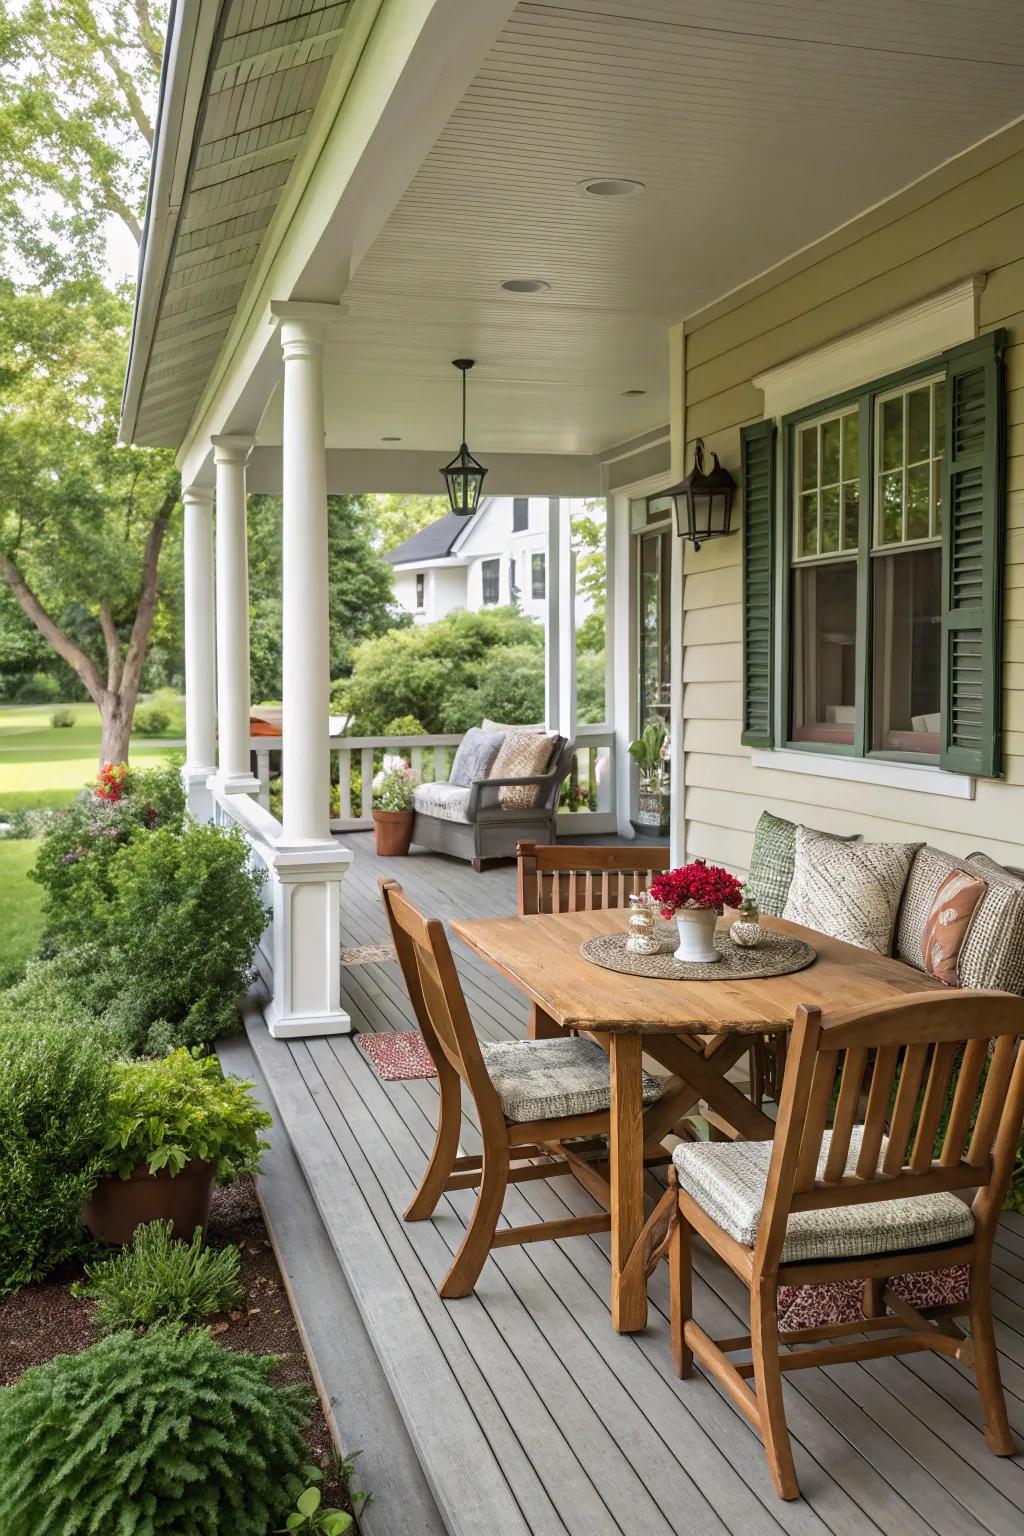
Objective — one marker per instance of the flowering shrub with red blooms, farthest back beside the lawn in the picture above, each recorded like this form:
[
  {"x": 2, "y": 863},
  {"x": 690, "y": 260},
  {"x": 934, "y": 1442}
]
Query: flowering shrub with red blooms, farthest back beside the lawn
[{"x": 81, "y": 842}]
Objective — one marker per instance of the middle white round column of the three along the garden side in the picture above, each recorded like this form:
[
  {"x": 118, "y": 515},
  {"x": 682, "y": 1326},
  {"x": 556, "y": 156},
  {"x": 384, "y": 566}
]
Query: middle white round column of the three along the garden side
[{"x": 233, "y": 617}]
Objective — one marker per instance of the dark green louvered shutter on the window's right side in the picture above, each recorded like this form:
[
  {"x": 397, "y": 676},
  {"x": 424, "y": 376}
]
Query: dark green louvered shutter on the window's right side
[{"x": 973, "y": 558}]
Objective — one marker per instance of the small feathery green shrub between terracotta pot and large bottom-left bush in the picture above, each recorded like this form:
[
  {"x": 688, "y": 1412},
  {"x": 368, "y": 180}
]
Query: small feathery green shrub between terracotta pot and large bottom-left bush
[{"x": 160, "y": 1279}]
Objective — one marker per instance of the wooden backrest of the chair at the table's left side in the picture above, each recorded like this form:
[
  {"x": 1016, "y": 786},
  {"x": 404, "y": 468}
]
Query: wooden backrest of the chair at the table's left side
[{"x": 437, "y": 991}]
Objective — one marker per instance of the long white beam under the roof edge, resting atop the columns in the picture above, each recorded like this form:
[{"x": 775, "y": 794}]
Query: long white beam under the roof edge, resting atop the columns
[{"x": 400, "y": 73}]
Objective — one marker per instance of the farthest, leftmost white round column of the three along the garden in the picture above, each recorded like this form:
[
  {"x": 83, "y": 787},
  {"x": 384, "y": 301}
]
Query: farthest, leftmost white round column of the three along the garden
[{"x": 200, "y": 663}]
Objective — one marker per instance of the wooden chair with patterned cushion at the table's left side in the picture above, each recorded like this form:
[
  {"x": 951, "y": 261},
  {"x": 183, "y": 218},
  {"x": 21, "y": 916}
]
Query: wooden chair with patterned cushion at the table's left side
[{"x": 504, "y": 1084}]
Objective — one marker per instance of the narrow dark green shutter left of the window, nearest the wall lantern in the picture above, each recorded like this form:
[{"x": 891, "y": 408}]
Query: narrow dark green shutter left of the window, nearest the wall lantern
[{"x": 758, "y": 452}]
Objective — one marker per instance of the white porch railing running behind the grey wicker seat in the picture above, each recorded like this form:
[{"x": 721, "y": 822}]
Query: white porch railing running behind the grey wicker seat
[{"x": 589, "y": 798}]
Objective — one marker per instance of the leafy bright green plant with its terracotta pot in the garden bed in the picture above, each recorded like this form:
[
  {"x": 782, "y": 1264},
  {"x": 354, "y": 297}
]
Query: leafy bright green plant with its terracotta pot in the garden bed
[{"x": 174, "y": 1128}]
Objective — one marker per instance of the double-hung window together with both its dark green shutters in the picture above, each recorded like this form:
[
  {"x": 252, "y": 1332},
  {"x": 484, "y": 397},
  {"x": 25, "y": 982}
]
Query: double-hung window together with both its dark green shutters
[{"x": 871, "y": 569}]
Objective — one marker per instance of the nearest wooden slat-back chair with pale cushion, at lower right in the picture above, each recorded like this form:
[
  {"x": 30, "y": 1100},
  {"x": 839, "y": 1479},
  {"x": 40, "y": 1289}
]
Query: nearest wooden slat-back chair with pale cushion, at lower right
[{"x": 811, "y": 1205}]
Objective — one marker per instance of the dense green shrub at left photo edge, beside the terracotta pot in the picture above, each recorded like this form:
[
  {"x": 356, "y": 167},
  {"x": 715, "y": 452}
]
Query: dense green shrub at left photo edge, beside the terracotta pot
[{"x": 55, "y": 1111}]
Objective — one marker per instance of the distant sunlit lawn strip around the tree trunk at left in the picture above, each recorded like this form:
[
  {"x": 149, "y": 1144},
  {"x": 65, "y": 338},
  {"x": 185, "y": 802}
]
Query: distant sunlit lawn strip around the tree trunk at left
[{"x": 45, "y": 766}]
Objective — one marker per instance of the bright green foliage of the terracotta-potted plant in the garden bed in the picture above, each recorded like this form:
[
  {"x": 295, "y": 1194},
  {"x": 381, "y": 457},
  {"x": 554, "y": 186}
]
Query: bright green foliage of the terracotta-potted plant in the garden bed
[{"x": 168, "y": 1113}]
